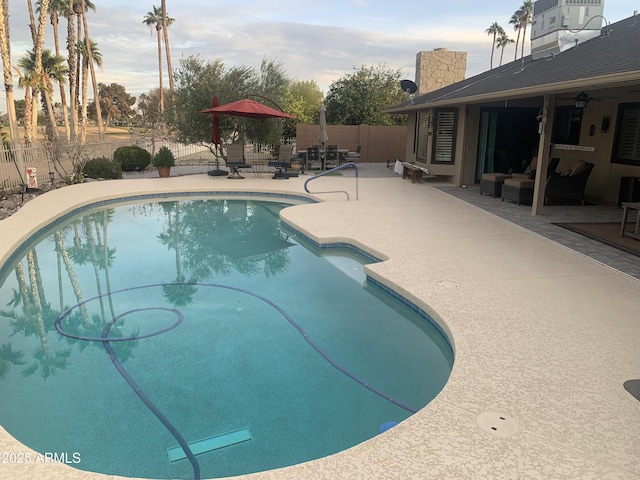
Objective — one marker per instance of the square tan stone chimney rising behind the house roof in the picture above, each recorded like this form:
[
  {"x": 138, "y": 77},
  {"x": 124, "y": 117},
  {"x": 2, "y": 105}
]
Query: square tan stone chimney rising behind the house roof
[{"x": 439, "y": 68}]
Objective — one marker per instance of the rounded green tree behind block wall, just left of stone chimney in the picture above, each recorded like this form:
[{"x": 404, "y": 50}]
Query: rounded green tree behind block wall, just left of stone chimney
[{"x": 359, "y": 98}]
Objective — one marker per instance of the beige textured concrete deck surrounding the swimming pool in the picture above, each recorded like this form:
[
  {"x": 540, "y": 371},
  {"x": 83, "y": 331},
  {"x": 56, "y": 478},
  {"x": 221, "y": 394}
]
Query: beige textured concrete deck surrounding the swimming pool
[{"x": 544, "y": 336}]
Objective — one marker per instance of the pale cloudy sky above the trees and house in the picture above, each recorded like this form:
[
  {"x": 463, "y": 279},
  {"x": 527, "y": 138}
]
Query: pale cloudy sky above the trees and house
[{"x": 319, "y": 41}]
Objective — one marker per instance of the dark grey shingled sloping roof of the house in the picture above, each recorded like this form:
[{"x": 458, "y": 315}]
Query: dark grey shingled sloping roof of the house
[{"x": 611, "y": 59}]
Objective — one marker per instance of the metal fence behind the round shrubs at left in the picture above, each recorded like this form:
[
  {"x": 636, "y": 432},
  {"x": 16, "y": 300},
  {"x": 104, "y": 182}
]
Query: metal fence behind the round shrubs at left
[{"x": 37, "y": 164}]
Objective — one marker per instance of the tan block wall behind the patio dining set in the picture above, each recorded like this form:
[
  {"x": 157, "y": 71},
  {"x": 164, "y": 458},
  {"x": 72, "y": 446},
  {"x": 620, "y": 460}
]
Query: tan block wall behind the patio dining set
[{"x": 379, "y": 143}]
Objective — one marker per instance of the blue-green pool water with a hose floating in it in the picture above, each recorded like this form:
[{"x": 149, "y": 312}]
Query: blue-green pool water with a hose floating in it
[{"x": 225, "y": 320}]
